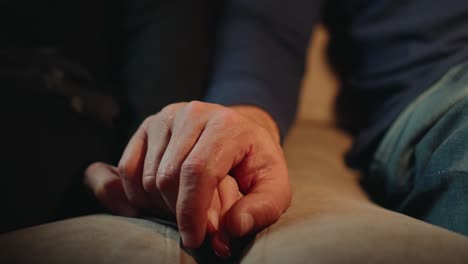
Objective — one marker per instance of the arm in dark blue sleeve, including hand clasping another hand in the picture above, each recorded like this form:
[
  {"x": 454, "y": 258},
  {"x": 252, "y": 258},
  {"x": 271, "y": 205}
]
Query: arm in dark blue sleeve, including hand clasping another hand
[{"x": 181, "y": 154}]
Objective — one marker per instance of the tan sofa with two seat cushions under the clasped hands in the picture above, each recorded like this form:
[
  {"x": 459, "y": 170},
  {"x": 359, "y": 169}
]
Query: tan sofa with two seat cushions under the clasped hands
[{"x": 331, "y": 220}]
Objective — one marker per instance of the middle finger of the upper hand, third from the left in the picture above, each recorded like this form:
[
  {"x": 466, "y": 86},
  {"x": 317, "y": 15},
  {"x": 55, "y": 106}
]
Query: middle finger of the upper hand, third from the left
[{"x": 187, "y": 126}]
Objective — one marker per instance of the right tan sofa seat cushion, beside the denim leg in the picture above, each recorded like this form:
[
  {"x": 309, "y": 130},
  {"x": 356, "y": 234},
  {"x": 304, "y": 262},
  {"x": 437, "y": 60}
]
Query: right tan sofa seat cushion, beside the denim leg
[{"x": 332, "y": 221}]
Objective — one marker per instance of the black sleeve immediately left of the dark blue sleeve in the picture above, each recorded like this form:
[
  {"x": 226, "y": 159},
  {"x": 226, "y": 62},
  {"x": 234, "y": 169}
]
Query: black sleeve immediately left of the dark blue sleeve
[{"x": 167, "y": 53}]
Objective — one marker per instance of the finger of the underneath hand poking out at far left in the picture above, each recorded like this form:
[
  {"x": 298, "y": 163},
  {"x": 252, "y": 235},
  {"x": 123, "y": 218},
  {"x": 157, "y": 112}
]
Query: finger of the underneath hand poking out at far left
[{"x": 103, "y": 181}]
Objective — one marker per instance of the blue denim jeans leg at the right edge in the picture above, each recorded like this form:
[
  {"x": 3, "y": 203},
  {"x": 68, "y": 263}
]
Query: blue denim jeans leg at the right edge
[{"x": 421, "y": 165}]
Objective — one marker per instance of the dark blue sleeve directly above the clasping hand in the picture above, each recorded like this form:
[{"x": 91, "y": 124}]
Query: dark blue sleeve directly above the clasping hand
[{"x": 261, "y": 54}]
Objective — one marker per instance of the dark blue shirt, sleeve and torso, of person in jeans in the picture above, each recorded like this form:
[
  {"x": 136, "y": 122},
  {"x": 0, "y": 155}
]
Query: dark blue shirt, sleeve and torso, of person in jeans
[{"x": 386, "y": 51}]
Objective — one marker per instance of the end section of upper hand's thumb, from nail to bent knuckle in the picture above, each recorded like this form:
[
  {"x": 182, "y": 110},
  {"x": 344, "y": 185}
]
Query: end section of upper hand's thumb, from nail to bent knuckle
[{"x": 255, "y": 212}]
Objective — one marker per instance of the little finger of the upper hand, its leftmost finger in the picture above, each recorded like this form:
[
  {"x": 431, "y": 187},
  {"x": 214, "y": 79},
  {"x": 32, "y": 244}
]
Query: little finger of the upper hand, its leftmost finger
[{"x": 131, "y": 167}]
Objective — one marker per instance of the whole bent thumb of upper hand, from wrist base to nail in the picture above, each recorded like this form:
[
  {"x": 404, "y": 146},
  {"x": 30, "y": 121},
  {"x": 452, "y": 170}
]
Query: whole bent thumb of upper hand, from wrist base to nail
[{"x": 262, "y": 175}]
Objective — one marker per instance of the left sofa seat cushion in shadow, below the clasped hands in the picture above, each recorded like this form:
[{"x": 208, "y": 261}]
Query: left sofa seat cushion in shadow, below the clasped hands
[{"x": 94, "y": 239}]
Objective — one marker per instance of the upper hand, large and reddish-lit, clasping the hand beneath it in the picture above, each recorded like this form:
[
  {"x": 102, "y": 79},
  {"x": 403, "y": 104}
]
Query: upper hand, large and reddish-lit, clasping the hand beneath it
[{"x": 183, "y": 153}]
